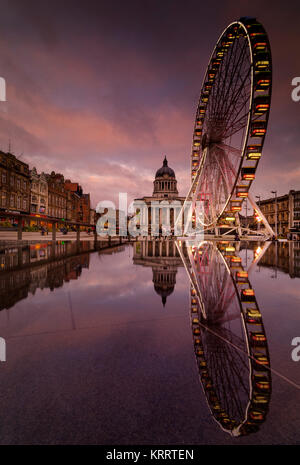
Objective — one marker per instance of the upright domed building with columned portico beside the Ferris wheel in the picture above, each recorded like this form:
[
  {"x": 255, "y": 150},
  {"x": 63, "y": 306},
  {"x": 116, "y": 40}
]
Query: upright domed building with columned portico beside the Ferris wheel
[{"x": 165, "y": 189}]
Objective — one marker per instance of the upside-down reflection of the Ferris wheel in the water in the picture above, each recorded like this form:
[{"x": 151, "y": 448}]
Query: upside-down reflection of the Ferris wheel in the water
[{"x": 229, "y": 337}]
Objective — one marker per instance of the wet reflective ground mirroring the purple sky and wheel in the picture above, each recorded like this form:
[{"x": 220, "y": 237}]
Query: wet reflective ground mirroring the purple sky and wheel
[{"x": 101, "y": 344}]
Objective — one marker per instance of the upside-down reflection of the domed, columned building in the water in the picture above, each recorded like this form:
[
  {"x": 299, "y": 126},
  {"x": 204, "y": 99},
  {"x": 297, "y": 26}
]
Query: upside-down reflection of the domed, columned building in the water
[{"x": 162, "y": 256}]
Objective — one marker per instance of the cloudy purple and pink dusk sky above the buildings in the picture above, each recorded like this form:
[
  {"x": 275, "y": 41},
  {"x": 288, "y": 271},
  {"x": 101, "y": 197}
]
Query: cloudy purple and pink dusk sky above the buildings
[{"x": 100, "y": 91}]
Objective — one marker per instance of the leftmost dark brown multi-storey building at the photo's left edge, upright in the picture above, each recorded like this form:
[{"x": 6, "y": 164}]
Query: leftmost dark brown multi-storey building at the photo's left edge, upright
[{"x": 14, "y": 184}]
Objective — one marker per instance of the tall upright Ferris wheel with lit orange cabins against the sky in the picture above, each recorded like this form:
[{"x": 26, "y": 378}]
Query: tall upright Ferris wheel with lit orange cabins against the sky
[{"x": 231, "y": 121}]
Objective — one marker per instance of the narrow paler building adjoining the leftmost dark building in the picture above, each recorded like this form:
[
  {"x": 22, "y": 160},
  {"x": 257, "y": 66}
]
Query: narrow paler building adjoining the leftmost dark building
[{"x": 39, "y": 193}]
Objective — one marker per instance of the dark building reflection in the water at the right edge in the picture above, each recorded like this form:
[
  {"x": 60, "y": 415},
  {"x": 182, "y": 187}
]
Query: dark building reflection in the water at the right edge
[{"x": 283, "y": 256}]
